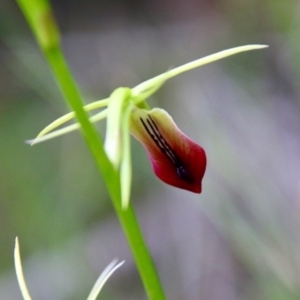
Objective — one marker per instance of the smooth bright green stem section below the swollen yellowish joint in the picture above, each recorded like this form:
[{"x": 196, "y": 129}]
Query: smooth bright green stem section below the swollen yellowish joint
[{"x": 127, "y": 217}]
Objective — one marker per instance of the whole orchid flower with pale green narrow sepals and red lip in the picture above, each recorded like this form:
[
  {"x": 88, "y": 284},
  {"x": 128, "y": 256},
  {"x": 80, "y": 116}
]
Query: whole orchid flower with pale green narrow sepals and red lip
[{"x": 175, "y": 158}]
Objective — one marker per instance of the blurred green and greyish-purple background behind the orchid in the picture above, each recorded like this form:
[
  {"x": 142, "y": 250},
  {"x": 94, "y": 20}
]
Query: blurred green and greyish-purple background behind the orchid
[{"x": 239, "y": 239}]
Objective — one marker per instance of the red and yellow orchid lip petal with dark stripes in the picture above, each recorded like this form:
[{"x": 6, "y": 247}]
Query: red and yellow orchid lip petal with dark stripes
[{"x": 175, "y": 158}]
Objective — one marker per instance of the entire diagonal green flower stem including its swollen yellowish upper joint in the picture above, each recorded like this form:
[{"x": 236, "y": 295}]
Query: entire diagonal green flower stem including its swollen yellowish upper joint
[{"x": 39, "y": 16}]
